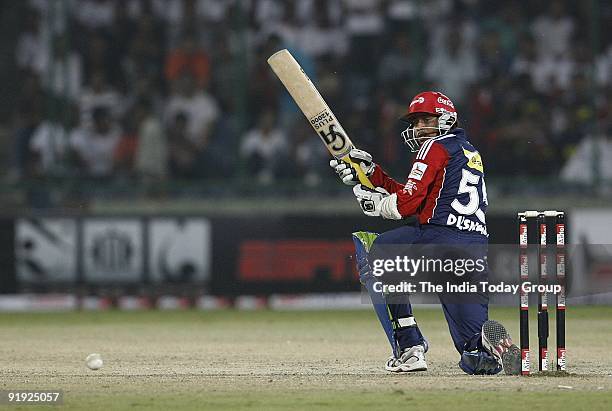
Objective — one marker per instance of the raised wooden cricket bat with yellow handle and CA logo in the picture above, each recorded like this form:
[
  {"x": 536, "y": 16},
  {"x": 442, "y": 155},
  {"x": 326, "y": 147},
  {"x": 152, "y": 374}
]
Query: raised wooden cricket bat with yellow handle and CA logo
[{"x": 317, "y": 112}]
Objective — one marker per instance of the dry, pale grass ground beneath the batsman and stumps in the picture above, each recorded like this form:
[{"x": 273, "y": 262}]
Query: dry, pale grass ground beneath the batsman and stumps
[{"x": 282, "y": 360}]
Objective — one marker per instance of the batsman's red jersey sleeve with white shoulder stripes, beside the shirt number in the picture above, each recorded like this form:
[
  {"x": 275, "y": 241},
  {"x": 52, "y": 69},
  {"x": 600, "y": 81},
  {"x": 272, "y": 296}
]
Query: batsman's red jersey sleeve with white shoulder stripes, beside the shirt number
[{"x": 425, "y": 179}]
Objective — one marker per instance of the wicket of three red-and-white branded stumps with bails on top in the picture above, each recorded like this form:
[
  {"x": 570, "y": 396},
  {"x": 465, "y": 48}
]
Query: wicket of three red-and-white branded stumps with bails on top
[{"x": 542, "y": 255}]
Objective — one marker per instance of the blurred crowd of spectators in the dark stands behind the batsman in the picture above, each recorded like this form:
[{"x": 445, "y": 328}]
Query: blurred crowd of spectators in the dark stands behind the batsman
[{"x": 156, "y": 91}]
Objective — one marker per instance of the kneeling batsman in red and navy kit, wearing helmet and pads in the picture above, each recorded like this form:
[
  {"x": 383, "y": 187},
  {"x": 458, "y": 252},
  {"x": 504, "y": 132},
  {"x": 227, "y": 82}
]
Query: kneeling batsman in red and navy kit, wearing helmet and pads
[{"x": 445, "y": 190}]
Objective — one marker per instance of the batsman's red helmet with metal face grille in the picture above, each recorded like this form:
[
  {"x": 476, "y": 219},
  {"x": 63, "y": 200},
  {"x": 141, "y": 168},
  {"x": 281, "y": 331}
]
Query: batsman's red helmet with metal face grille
[{"x": 433, "y": 103}]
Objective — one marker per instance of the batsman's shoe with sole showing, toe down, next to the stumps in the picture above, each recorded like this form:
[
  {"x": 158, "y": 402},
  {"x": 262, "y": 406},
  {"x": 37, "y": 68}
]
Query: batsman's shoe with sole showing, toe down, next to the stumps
[{"x": 497, "y": 341}]
